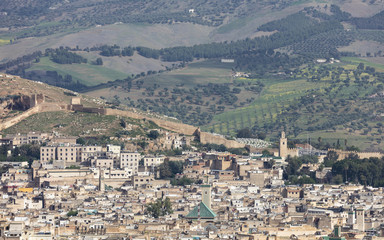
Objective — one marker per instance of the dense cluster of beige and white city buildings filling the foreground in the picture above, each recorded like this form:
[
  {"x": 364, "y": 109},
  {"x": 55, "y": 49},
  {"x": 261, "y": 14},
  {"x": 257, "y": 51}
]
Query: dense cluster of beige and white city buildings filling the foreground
[{"x": 102, "y": 192}]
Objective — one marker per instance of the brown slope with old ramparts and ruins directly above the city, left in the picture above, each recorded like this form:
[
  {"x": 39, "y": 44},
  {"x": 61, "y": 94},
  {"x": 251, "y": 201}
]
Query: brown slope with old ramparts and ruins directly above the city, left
[{"x": 34, "y": 106}]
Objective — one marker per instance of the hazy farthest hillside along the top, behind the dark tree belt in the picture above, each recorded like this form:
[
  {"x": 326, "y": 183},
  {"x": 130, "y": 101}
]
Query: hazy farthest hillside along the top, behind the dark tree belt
[{"x": 34, "y": 25}]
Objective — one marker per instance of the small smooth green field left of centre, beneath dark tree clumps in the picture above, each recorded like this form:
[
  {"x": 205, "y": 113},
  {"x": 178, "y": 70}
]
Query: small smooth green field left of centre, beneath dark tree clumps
[{"x": 86, "y": 74}]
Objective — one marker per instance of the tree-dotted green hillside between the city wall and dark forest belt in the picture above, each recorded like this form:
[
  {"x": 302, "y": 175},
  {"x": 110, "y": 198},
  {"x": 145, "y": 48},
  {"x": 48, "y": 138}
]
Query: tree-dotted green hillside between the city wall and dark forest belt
[{"x": 310, "y": 101}]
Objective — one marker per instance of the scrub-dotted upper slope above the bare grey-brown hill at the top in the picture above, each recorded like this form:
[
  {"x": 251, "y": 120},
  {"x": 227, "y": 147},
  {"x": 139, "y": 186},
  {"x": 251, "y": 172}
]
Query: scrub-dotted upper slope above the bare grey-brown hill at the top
[{"x": 49, "y": 17}]
